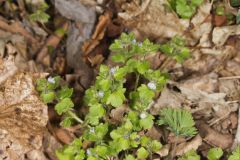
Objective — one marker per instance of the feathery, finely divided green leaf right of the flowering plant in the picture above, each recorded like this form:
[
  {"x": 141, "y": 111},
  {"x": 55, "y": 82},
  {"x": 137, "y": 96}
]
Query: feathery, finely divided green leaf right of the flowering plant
[{"x": 178, "y": 121}]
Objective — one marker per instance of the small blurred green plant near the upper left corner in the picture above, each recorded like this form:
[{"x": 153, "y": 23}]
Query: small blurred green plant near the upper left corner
[{"x": 40, "y": 15}]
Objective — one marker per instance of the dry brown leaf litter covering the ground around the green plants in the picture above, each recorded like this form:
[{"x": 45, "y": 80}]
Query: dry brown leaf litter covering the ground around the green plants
[{"x": 206, "y": 84}]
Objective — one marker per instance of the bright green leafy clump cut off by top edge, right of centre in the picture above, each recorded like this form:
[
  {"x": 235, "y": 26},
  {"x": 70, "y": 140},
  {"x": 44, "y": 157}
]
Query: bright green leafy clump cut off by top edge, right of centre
[{"x": 185, "y": 8}]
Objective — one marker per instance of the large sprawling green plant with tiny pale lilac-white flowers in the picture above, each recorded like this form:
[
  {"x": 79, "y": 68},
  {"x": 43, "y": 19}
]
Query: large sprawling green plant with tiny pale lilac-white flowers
[{"x": 109, "y": 139}]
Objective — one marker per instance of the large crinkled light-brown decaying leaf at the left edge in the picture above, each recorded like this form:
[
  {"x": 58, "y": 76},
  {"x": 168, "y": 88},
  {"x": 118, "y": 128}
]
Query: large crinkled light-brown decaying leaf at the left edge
[{"x": 23, "y": 116}]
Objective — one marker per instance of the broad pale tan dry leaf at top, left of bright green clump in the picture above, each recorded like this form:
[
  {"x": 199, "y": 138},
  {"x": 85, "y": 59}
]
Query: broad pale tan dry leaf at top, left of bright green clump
[{"x": 151, "y": 20}]
